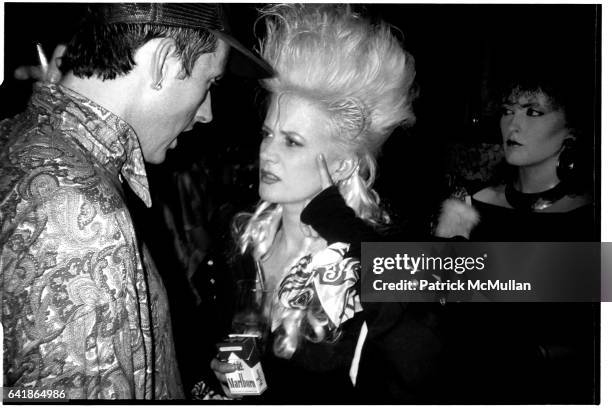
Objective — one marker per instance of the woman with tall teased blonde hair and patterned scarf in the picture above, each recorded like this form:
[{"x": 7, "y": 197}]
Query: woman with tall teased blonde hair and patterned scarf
[{"x": 343, "y": 84}]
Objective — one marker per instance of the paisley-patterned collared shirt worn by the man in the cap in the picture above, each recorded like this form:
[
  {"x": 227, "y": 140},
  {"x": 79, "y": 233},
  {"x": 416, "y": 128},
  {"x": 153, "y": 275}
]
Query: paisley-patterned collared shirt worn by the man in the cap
[{"x": 83, "y": 308}]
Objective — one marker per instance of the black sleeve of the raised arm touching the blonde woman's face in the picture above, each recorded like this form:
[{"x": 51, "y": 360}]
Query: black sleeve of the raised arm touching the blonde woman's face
[{"x": 335, "y": 221}]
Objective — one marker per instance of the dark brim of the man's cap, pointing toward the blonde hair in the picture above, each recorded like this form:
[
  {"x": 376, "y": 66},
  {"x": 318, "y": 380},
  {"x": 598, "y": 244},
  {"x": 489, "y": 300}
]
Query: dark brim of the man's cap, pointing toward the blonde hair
[{"x": 243, "y": 62}]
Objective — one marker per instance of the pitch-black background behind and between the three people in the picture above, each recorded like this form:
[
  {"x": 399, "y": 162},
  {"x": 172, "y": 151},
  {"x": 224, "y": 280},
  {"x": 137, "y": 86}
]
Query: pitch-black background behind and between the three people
[{"x": 462, "y": 53}]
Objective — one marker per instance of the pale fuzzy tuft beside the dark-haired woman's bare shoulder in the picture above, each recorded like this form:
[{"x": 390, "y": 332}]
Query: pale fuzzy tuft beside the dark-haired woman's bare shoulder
[{"x": 456, "y": 219}]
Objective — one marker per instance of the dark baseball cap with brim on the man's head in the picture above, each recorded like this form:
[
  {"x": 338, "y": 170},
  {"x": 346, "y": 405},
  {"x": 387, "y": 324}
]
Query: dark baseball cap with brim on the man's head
[{"x": 208, "y": 16}]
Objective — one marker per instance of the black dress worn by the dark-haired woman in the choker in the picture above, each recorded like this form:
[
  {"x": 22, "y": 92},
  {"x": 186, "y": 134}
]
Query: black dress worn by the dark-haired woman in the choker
[{"x": 537, "y": 353}]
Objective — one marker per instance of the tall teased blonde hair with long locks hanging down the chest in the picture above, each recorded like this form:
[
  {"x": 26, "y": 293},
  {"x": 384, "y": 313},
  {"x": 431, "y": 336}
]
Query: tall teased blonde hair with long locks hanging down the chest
[{"x": 358, "y": 73}]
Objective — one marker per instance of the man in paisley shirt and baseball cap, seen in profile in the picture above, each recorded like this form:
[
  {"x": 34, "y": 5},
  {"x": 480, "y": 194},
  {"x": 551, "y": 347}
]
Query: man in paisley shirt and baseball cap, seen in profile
[{"x": 83, "y": 308}]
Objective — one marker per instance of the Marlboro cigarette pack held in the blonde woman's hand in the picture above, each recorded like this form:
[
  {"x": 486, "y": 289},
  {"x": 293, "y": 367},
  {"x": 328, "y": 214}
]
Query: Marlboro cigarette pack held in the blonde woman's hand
[{"x": 248, "y": 379}]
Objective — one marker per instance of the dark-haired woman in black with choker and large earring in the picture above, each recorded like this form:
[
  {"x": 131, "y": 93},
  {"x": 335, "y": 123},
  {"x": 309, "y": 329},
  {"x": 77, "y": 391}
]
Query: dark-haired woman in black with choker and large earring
[{"x": 531, "y": 353}]
